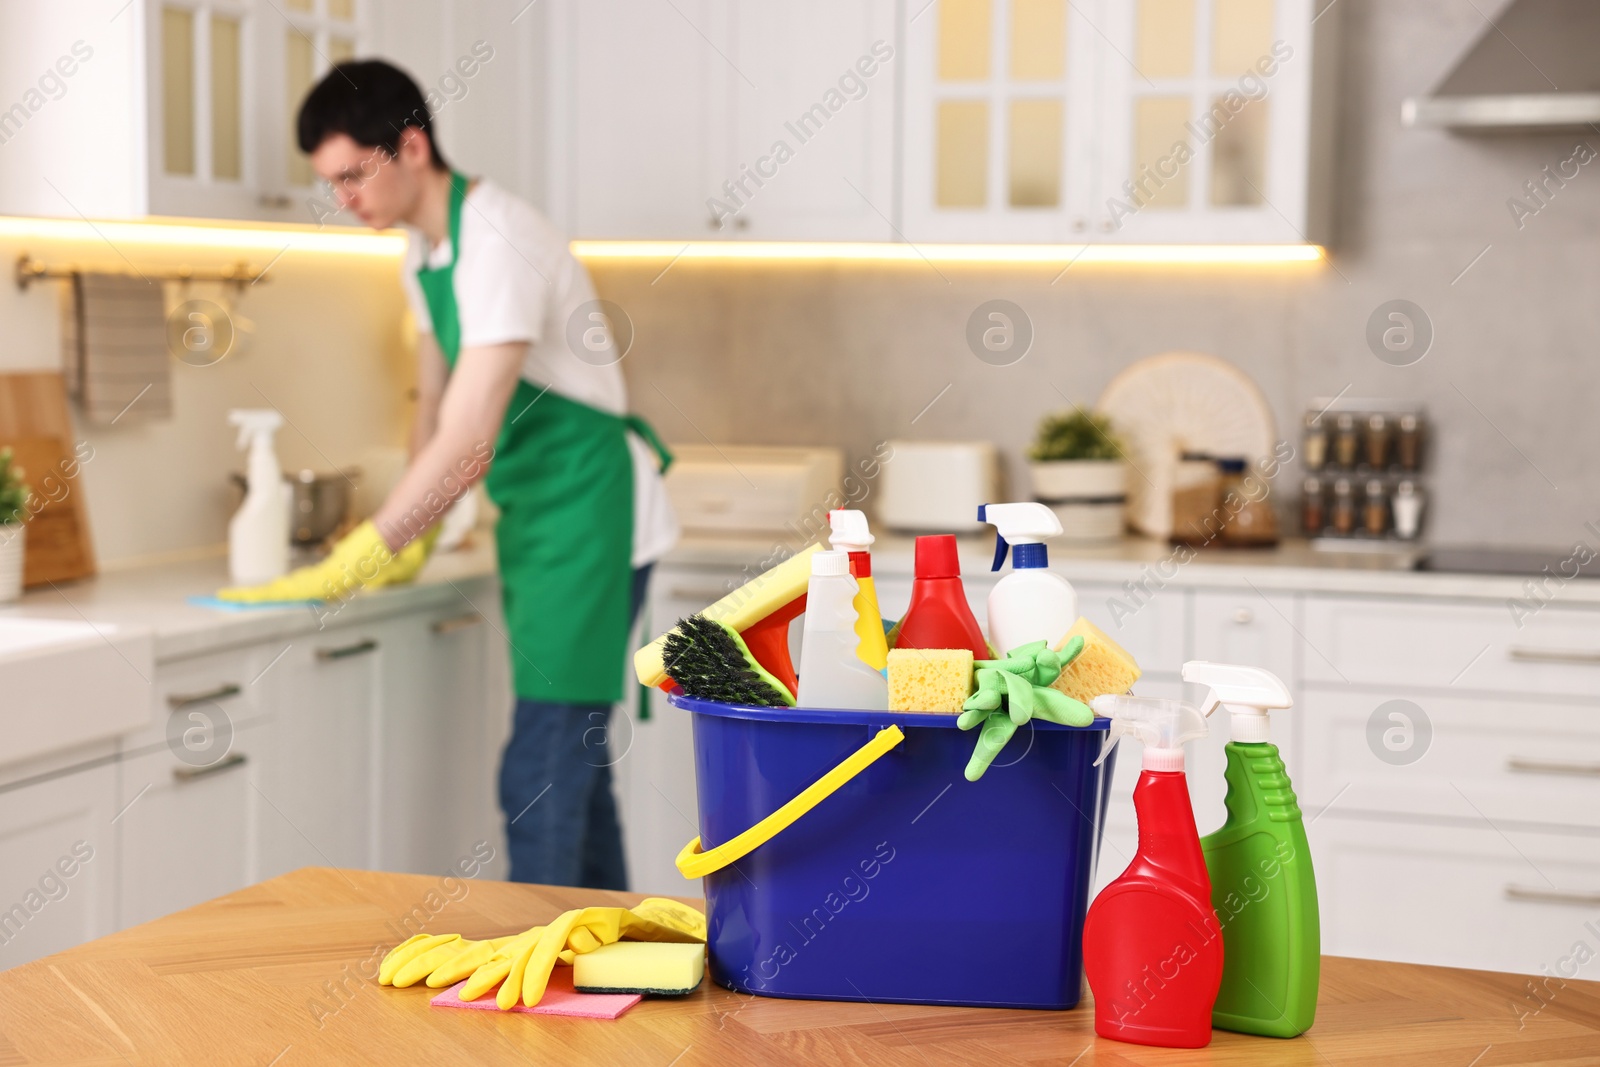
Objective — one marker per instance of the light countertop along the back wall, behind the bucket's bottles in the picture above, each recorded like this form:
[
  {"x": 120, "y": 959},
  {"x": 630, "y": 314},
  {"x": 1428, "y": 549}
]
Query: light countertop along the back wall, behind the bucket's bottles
[{"x": 1156, "y": 565}]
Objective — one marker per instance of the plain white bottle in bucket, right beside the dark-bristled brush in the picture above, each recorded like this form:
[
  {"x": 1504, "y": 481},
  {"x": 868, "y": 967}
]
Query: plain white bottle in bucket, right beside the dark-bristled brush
[{"x": 831, "y": 674}]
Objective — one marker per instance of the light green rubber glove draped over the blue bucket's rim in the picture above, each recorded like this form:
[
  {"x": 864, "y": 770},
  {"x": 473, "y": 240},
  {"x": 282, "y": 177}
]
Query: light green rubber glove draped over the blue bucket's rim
[{"x": 1017, "y": 690}]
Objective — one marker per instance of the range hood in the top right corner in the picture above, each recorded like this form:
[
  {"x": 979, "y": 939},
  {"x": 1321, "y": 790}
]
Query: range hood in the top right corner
[{"x": 1535, "y": 70}]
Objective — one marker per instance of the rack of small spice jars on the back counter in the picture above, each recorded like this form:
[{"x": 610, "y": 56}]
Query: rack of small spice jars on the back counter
[{"x": 1364, "y": 473}]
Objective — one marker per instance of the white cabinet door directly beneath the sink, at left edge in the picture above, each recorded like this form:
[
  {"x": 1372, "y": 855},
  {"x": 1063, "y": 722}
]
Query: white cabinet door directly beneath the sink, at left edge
[{"x": 58, "y": 879}]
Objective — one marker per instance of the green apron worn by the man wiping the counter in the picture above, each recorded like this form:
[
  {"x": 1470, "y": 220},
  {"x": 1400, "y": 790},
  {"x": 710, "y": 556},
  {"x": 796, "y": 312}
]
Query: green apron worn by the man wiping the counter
[{"x": 564, "y": 482}]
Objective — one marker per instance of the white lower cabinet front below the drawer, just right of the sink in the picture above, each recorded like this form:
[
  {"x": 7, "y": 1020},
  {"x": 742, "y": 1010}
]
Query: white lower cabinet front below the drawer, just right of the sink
[{"x": 191, "y": 831}]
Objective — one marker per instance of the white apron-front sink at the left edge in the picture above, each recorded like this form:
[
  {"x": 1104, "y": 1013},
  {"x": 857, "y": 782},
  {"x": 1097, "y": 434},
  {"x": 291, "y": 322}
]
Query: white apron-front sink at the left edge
[{"x": 65, "y": 684}]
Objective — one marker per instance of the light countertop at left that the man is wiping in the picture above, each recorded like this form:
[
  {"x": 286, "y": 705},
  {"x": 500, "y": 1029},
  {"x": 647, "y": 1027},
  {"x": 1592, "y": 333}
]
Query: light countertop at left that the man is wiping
[{"x": 158, "y": 599}]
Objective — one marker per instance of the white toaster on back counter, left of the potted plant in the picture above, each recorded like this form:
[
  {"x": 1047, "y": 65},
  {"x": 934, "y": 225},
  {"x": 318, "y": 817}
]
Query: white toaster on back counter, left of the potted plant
[{"x": 937, "y": 487}]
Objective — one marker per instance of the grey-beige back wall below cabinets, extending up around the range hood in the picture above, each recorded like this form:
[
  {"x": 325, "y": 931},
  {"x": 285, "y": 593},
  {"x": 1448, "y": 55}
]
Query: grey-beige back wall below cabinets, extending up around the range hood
[{"x": 855, "y": 354}]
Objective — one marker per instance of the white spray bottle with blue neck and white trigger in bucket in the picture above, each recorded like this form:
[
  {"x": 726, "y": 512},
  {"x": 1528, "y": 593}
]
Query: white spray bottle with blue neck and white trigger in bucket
[{"x": 1031, "y": 604}]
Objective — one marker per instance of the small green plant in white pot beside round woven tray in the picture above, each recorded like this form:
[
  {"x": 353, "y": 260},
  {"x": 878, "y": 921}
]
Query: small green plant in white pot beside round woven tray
[{"x": 1078, "y": 468}]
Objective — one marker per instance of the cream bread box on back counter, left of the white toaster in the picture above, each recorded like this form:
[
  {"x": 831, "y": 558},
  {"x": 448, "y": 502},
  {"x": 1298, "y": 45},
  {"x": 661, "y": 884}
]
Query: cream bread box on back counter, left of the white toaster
[{"x": 754, "y": 489}]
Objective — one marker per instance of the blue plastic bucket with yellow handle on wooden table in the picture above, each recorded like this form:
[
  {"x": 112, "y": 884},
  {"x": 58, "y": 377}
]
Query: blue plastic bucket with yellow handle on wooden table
[{"x": 846, "y": 857}]
